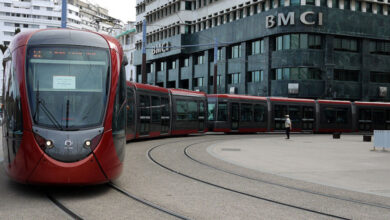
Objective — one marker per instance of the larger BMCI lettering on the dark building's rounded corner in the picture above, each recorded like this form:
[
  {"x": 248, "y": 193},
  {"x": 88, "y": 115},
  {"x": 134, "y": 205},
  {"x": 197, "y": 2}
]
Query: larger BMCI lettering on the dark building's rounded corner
[{"x": 306, "y": 18}]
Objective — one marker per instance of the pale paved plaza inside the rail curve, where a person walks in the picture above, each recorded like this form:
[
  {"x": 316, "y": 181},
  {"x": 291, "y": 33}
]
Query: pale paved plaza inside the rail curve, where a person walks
[{"x": 346, "y": 163}]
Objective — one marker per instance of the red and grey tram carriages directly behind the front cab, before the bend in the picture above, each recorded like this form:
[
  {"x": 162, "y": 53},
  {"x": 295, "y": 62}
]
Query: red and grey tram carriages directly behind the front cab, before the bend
[{"x": 154, "y": 111}]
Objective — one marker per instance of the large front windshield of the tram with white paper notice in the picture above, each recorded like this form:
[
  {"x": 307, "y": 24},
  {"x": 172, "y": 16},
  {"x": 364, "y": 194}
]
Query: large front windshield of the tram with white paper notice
[{"x": 67, "y": 86}]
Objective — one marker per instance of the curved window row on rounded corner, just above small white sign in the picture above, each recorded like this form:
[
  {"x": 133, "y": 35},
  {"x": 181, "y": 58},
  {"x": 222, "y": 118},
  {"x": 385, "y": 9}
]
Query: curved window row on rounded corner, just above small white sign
[{"x": 299, "y": 73}]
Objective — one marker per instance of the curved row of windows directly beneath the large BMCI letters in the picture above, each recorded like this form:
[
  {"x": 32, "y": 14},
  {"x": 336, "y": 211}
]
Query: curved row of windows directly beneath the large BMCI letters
[{"x": 298, "y": 41}]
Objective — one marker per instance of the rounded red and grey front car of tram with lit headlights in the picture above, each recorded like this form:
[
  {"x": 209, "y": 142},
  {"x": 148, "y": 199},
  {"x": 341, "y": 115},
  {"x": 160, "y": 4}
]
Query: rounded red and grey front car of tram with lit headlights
[{"x": 64, "y": 107}]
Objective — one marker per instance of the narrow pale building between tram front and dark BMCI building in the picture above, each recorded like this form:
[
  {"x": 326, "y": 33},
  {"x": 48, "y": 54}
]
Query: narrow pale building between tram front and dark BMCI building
[{"x": 126, "y": 37}]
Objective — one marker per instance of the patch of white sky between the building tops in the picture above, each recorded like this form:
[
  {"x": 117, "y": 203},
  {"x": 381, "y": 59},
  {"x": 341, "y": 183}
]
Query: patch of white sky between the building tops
[{"x": 121, "y": 9}]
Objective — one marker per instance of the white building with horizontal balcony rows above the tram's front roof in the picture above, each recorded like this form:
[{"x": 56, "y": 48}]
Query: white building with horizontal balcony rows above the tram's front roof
[{"x": 33, "y": 14}]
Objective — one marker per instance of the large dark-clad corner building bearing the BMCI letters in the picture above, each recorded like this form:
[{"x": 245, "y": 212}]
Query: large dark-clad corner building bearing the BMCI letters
[{"x": 332, "y": 49}]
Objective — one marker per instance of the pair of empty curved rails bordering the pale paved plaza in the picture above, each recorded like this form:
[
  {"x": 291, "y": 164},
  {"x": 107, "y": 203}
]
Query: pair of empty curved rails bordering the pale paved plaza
[{"x": 263, "y": 198}]
